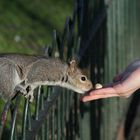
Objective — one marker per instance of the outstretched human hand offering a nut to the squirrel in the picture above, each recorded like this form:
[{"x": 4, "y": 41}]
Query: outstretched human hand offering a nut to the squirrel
[{"x": 123, "y": 85}]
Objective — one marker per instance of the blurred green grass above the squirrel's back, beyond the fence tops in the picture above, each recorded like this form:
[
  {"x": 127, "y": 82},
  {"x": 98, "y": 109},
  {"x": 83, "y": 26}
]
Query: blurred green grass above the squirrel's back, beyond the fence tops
[{"x": 26, "y": 26}]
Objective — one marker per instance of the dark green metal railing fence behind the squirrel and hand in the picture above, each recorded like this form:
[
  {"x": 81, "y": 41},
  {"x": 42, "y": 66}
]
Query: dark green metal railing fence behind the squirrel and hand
[{"x": 104, "y": 37}]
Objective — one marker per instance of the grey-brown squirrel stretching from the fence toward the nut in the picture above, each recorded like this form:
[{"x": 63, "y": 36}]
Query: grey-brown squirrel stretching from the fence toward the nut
[{"x": 23, "y": 73}]
